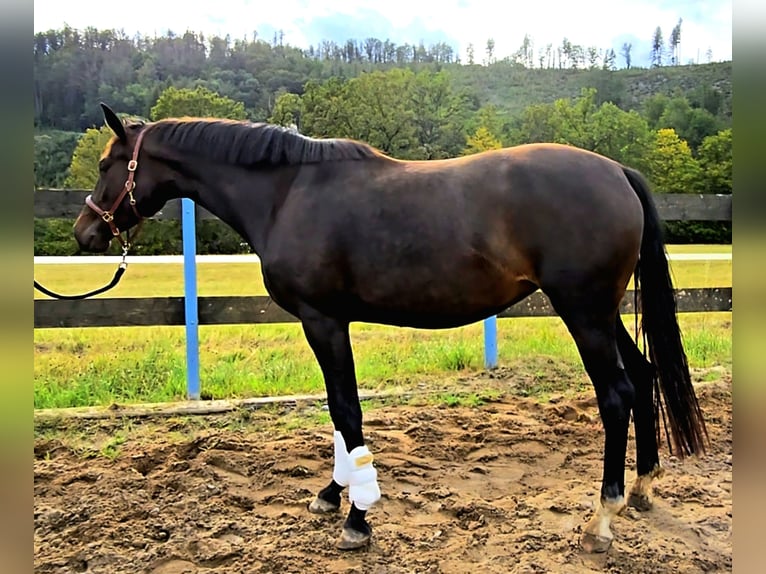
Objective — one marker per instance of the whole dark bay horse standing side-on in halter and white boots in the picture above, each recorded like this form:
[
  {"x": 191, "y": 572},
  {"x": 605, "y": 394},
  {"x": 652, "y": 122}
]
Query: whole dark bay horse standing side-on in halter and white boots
[{"x": 345, "y": 233}]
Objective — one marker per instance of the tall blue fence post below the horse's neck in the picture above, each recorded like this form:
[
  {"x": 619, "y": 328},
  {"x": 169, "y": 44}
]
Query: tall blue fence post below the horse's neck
[{"x": 190, "y": 298}]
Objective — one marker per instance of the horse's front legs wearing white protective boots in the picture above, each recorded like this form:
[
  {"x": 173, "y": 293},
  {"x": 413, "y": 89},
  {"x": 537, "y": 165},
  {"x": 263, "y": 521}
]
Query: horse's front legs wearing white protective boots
[{"x": 330, "y": 341}]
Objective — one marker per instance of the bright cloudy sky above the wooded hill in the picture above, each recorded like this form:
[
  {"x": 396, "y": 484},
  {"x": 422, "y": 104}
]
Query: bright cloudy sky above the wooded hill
[{"x": 707, "y": 24}]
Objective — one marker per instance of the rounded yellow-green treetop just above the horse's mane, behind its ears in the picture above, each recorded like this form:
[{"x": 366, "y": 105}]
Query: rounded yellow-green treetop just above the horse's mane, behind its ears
[{"x": 199, "y": 102}]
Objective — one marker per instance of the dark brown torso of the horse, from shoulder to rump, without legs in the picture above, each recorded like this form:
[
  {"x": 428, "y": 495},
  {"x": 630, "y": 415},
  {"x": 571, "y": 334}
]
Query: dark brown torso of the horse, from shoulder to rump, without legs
[{"x": 454, "y": 239}]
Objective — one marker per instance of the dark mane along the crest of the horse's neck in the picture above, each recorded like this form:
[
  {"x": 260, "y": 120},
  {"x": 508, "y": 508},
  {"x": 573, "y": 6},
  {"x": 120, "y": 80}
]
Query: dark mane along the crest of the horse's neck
[{"x": 251, "y": 144}]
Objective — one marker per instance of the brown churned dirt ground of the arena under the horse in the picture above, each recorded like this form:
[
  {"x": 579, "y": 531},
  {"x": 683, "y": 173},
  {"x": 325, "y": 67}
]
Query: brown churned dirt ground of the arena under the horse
[{"x": 501, "y": 487}]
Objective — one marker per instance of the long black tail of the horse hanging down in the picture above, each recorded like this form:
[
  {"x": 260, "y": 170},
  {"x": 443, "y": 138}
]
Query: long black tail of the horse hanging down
[{"x": 662, "y": 335}]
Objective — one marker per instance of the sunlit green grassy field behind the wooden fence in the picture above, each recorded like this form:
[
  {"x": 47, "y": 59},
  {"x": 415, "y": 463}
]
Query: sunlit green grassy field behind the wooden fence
[{"x": 99, "y": 366}]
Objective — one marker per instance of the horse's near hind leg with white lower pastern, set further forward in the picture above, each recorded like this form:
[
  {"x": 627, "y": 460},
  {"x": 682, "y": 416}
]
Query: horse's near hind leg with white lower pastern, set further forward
[{"x": 593, "y": 330}]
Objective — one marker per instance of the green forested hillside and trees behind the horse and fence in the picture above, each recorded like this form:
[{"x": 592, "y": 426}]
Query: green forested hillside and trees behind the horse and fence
[{"x": 411, "y": 101}]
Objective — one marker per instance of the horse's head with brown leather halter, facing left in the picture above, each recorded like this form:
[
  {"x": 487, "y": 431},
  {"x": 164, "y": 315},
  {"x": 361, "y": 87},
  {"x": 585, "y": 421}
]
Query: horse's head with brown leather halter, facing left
[{"x": 122, "y": 196}]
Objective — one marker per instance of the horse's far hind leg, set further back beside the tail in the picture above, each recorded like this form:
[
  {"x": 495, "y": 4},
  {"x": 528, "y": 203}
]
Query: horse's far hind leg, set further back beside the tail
[{"x": 648, "y": 466}]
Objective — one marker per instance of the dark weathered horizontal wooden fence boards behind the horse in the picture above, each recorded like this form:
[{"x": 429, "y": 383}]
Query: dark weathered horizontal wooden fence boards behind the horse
[{"x": 108, "y": 312}]
